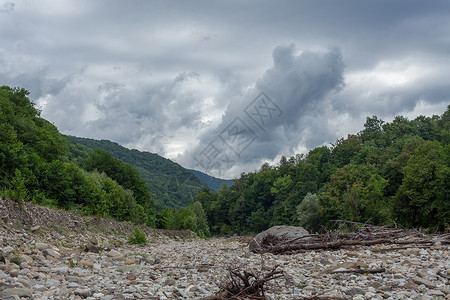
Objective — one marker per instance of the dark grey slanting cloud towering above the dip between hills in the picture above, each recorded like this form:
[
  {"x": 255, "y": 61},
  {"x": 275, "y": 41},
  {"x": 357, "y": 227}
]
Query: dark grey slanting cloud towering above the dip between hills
[{"x": 254, "y": 131}]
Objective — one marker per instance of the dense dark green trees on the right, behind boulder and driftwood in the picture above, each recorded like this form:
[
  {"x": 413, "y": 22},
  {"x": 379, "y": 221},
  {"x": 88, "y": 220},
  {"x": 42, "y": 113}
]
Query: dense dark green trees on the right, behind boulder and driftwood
[{"x": 389, "y": 172}]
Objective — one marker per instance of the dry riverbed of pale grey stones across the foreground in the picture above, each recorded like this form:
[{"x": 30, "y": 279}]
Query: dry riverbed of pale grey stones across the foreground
[{"x": 42, "y": 260}]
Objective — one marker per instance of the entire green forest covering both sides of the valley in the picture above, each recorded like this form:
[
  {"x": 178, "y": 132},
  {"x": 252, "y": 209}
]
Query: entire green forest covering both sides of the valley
[{"x": 389, "y": 173}]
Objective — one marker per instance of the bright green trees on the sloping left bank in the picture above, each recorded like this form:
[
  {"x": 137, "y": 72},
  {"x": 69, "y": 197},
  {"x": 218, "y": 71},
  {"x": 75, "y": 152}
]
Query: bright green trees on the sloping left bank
[{"x": 40, "y": 165}]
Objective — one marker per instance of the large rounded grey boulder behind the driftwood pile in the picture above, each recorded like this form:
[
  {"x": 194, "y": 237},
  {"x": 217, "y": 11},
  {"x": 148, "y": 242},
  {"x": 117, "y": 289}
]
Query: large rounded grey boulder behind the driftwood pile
[{"x": 277, "y": 233}]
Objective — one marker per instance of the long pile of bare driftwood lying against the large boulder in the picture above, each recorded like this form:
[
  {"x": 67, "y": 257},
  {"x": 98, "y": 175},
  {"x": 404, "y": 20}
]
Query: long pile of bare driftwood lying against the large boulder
[{"x": 364, "y": 235}]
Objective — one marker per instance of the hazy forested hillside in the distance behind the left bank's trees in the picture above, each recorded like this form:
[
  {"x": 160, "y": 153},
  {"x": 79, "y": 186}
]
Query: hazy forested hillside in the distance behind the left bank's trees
[{"x": 170, "y": 184}]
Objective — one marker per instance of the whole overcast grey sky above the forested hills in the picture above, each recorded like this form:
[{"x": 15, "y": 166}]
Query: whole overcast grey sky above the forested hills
[{"x": 224, "y": 86}]
